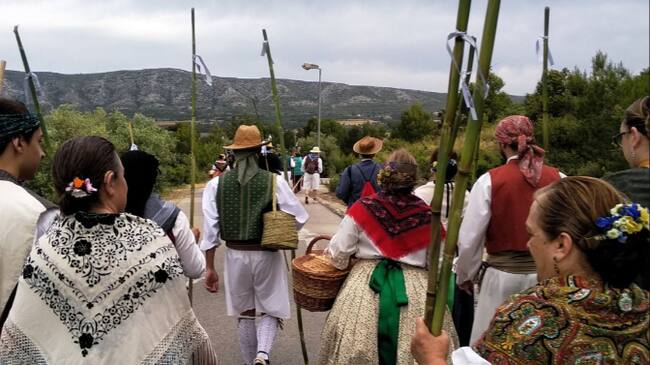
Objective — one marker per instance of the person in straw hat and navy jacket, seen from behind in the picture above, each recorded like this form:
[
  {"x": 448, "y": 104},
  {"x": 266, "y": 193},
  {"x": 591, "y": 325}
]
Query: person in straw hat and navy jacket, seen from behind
[{"x": 360, "y": 179}]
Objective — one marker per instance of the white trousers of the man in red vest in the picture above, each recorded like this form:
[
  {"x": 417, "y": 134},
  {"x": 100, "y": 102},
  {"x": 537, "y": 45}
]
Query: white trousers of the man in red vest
[{"x": 496, "y": 287}]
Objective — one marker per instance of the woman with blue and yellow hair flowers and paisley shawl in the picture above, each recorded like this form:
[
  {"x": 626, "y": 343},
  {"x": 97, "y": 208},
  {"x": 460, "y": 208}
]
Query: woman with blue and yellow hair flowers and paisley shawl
[{"x": 588, "y": 244}]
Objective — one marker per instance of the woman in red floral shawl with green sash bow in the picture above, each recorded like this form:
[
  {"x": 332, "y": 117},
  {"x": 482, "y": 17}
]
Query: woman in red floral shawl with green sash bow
[{"x": 373, "y": 317}]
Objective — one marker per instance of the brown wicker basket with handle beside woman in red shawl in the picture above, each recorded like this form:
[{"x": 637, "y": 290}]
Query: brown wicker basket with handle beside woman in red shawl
[{"x": 316, "y": 282}]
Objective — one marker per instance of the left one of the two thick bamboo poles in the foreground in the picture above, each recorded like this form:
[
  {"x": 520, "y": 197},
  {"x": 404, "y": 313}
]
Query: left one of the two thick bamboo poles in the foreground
[{"x": 443, "y": 156}]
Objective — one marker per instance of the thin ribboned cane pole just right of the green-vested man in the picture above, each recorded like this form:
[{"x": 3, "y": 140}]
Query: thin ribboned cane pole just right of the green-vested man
[{"x": 278, "y": 126}]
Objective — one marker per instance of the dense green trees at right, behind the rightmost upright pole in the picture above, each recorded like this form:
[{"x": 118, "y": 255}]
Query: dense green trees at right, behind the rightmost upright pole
[{"x": 585, "y": 110}]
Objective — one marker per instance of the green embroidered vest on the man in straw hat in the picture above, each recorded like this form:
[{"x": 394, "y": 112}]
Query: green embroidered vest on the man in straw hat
[{"x": 241, "y": 208}]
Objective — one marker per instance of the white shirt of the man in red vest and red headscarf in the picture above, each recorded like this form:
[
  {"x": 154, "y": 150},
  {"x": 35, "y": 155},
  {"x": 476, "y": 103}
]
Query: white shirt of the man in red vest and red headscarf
[{"x": 471, "y": 238}]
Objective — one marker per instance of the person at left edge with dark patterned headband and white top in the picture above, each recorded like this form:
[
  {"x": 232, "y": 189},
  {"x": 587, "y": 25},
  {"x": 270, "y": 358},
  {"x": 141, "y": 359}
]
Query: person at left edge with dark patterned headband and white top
[{"x": 20, "y": 155}]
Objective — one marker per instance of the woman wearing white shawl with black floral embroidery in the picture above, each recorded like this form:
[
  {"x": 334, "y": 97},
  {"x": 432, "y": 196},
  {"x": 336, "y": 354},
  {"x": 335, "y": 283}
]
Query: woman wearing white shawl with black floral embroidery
[{"x": 101, "y": 286}]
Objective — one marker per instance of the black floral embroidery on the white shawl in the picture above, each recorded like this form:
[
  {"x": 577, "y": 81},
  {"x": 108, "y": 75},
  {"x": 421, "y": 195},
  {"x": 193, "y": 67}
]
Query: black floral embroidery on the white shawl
[{"x": 89, "y": 318}]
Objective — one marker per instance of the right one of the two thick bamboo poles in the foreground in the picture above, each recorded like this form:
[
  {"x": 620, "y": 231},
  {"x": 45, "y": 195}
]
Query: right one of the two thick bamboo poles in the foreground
[{"x": 471, "y": 134}]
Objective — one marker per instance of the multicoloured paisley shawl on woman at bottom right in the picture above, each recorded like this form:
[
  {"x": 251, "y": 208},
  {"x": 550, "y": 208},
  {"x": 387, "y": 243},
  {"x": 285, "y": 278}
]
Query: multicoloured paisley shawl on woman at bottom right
[{"x": 569, "y": 321}]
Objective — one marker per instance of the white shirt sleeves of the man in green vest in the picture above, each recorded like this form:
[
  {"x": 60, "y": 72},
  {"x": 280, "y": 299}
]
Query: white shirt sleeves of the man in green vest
[{"x": 287, "y": 202}]
